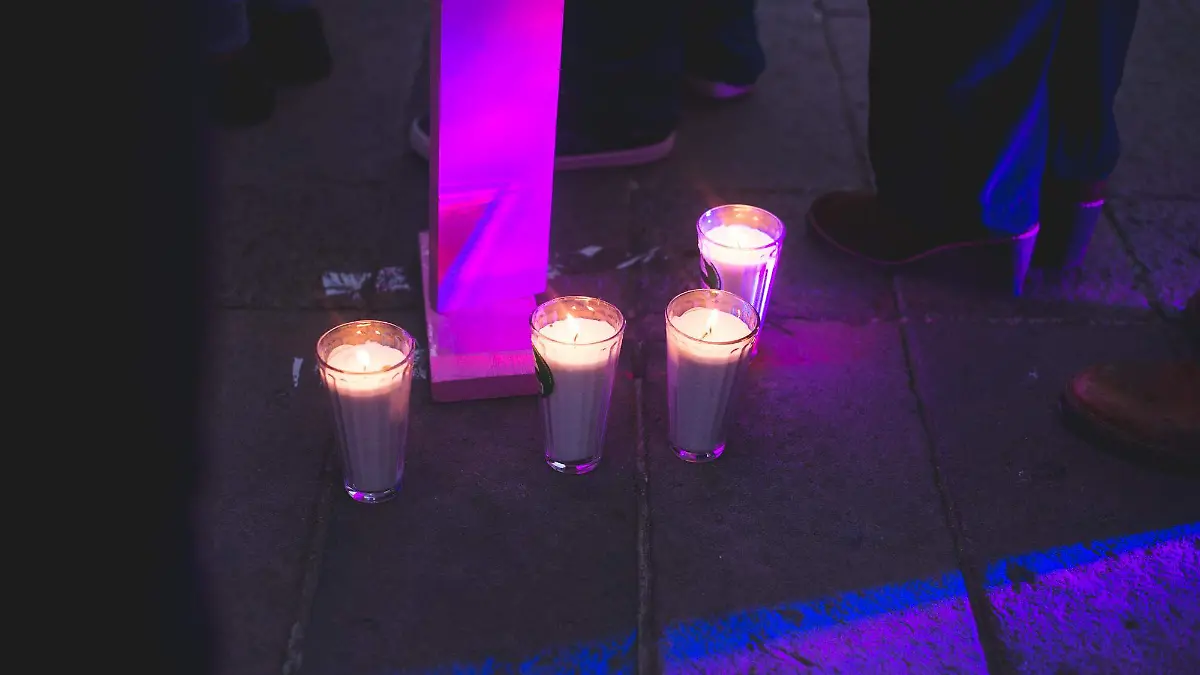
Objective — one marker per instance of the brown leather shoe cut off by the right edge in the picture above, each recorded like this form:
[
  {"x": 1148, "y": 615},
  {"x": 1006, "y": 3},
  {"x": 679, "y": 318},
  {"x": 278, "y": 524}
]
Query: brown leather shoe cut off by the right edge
[{"x": 1151, "y": 411}]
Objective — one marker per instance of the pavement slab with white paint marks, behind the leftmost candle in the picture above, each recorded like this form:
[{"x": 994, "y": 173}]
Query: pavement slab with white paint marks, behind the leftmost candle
[{"x": 321, "y": 246}]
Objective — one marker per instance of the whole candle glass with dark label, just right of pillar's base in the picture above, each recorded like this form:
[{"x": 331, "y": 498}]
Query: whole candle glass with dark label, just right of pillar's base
[{"x": 577, "y": 343}]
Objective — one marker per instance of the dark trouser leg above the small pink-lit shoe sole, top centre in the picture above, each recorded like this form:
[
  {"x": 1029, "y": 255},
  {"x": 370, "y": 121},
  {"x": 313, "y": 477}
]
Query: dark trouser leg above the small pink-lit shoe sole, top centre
[{"x": 723, "y": 56}]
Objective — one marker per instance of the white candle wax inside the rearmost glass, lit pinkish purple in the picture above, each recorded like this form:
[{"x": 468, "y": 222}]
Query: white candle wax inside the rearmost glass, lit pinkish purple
[{"x": 746, "y": 261}]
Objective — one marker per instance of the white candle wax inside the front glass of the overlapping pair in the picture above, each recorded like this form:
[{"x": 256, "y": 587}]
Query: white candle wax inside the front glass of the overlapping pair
[{"x": 701, "y": 375}]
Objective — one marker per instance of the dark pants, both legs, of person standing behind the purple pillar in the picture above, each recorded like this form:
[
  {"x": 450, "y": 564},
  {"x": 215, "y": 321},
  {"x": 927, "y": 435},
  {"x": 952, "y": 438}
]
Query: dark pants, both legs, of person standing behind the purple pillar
[{"x": 623, "y": 61}]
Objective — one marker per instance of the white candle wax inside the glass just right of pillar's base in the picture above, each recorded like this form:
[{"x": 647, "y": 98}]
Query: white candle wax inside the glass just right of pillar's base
[{"x": 578, "y": 409}]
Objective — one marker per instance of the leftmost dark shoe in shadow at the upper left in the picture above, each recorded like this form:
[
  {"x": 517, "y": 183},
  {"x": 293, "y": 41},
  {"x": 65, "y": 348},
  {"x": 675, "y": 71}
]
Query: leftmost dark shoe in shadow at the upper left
[{"x": 241, "y": 94}]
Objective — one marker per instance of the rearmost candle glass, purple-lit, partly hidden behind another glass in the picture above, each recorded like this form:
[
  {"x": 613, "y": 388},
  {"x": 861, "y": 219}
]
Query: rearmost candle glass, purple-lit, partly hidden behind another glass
[{"x": 740, "y": 248}]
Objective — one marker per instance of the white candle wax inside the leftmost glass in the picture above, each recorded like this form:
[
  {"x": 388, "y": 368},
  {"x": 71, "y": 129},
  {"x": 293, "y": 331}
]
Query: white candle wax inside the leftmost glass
[{"x": 373, "y": 405}]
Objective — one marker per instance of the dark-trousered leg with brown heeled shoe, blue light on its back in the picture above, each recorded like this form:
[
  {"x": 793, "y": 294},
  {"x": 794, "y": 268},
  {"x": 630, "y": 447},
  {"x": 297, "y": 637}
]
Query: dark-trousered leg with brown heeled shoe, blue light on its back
[{"x": 958, "y": 132}]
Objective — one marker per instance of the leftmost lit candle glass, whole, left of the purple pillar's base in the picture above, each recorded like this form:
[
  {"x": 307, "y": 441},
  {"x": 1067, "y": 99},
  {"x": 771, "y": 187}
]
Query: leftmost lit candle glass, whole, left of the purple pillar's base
[{"x": 368, "y": 369}]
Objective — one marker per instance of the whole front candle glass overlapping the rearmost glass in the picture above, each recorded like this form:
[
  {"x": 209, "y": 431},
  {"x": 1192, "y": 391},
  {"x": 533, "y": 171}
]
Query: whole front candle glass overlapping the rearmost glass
[{"x": 711, "y": 338}]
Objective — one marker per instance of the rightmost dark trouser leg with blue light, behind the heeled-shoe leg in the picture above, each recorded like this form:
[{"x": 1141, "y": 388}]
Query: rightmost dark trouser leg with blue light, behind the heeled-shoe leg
[{"x": 1085, "y": 75}]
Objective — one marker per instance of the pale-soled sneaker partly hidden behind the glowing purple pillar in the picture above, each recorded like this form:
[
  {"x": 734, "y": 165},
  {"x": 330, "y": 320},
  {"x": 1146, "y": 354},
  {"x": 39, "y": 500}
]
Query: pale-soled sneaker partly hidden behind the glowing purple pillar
[{"x": 574, "y": 152}]
